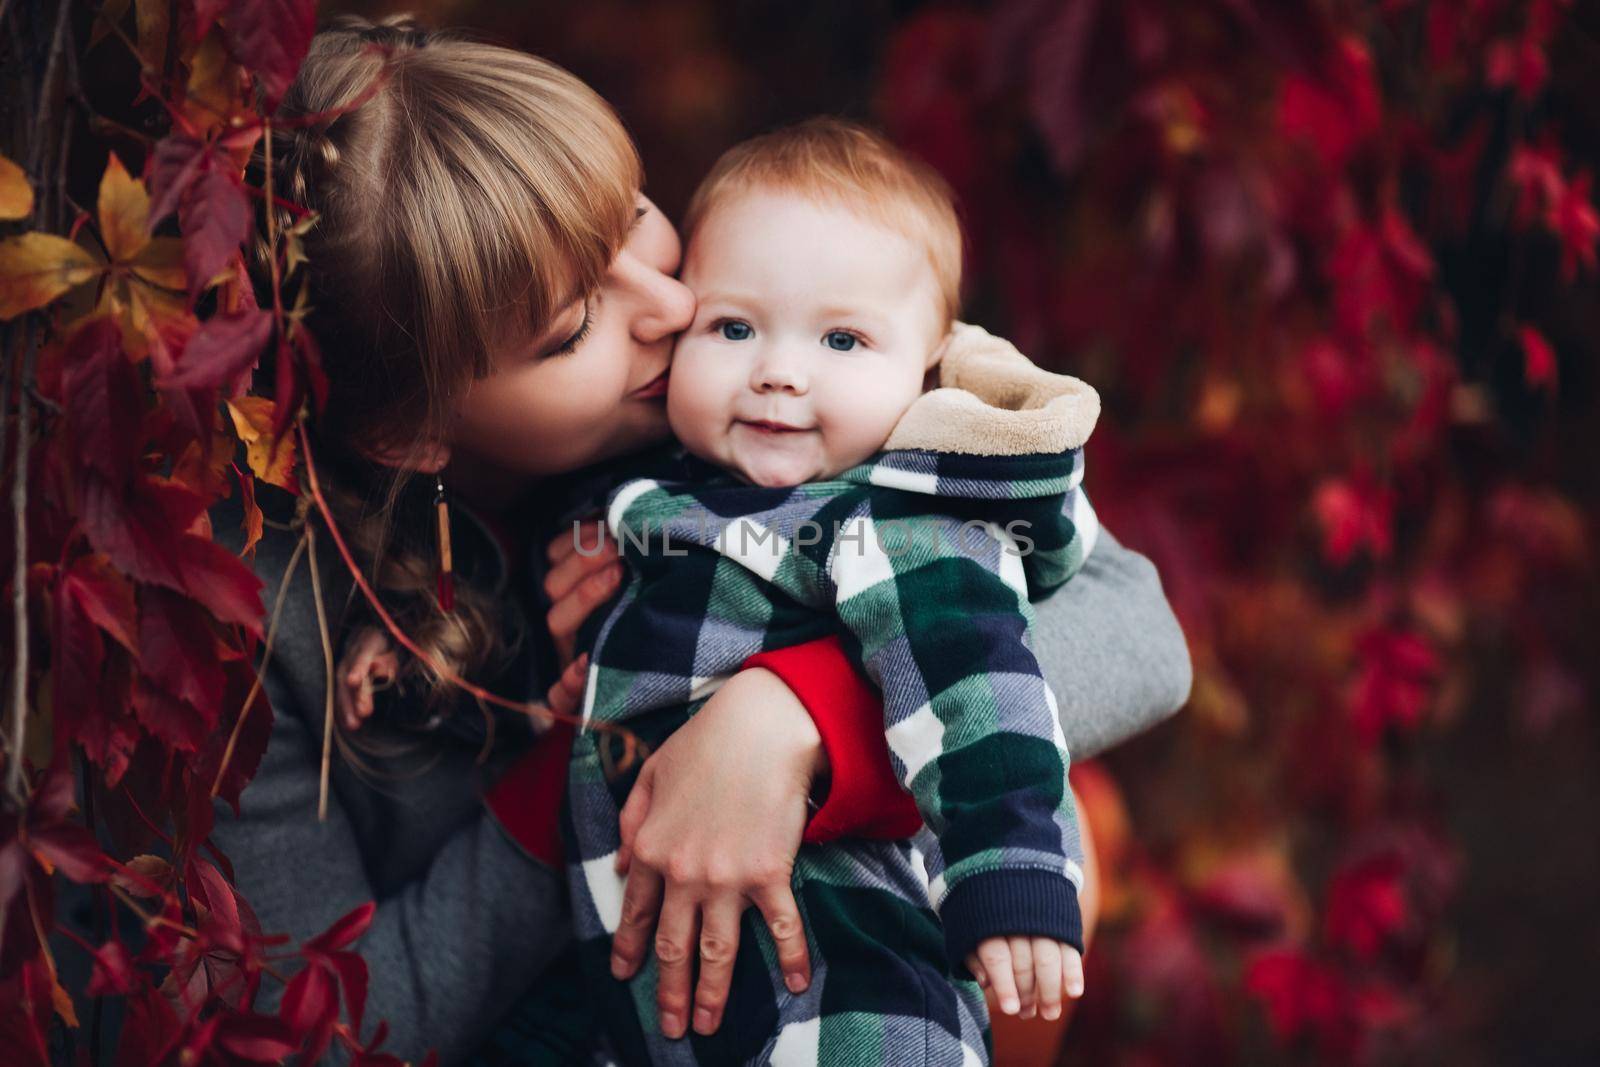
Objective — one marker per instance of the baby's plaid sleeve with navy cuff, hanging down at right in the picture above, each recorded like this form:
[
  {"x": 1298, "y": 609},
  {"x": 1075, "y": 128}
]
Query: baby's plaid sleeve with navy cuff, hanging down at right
[{"x": 972, "y": 730}]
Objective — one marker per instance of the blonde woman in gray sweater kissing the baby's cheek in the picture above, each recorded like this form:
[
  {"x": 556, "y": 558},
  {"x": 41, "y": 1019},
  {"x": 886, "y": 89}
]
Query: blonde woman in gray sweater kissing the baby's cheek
[{"x": 495, "y": 305}]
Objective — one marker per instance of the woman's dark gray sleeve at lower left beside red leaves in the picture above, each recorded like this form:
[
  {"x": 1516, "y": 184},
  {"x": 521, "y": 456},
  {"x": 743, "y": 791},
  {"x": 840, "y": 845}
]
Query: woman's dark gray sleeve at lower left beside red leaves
[{"x": 449, "y": 953}]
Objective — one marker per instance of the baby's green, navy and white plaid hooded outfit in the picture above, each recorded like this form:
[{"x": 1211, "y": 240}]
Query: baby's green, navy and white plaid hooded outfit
[{"x": 927, "y": 565}]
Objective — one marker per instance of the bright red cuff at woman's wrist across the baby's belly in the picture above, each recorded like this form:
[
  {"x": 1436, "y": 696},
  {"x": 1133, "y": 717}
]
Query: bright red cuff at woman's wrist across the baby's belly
[{"x": 863, "y": 799}]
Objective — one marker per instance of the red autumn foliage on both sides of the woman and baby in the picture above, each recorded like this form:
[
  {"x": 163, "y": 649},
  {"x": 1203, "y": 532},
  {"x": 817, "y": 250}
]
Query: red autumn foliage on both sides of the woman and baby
[{"x": 1306, "y": 252}]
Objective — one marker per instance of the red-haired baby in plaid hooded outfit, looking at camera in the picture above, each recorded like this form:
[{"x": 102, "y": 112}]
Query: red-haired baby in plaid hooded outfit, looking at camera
[{"x": 823, "y": 490}]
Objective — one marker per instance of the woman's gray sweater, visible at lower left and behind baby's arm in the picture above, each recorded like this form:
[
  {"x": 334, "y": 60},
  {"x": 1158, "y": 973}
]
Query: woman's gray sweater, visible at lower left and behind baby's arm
[{"x": 466, "y": 919}]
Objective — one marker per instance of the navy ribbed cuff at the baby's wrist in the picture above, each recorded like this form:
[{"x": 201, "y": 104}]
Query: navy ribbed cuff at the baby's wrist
[{"x": 1009, "y": 903}]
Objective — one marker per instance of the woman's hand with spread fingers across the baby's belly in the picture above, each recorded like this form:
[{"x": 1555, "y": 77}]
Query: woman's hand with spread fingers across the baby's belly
[{"x": 713, "y": 828}]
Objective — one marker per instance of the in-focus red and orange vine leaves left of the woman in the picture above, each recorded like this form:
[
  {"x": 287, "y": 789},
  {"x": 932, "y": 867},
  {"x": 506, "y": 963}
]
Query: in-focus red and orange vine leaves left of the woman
[{"x": 132, "y": 335}]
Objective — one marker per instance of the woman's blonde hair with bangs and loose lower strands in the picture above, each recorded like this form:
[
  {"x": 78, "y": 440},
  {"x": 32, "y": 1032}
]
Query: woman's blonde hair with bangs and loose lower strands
[{"x": 465, "y": 193}]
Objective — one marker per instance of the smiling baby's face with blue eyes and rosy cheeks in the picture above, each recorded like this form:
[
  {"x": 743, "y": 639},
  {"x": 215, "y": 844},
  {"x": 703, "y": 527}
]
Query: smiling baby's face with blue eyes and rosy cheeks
[{"x": 814, "y": 334}]
